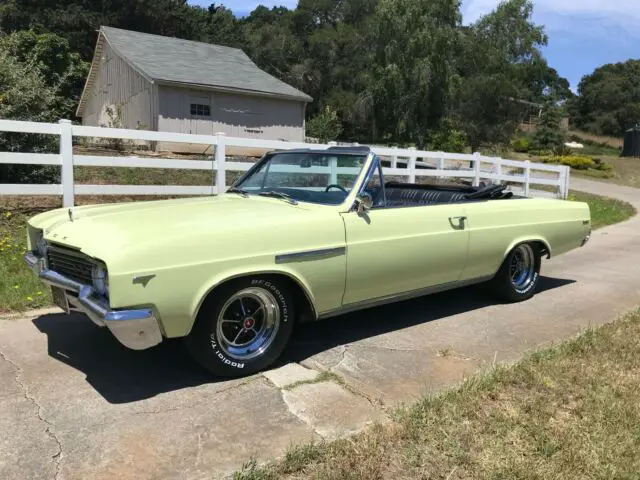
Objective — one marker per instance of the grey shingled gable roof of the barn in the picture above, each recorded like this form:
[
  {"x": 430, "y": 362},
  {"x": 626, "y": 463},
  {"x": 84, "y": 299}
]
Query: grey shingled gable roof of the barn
[{"x": 188, "y": 63}]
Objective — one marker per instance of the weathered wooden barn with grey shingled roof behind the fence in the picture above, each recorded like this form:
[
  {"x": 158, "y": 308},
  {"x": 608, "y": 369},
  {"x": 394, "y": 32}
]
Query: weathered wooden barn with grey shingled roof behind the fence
[{"x": 168, "y": 84}]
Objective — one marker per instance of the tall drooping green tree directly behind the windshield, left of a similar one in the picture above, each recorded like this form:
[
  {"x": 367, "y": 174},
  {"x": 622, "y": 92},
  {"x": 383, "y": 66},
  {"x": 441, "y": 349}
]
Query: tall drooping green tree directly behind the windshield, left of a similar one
[{"x": 413, "y": 68}]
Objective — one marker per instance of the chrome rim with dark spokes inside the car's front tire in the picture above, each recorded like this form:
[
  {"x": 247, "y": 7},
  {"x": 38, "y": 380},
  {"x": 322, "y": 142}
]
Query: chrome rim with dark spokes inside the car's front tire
[{"x": 248, "y": 323}]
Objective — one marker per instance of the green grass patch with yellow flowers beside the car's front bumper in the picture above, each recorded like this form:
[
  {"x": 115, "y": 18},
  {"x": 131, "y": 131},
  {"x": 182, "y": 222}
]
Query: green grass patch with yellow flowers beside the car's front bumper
[{"x": 19, "y": 289}]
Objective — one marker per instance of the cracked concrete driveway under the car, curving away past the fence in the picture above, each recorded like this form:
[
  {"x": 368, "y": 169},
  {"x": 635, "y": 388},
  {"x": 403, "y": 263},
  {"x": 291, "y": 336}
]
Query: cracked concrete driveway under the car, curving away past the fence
[{"x": 74, "y": 404}]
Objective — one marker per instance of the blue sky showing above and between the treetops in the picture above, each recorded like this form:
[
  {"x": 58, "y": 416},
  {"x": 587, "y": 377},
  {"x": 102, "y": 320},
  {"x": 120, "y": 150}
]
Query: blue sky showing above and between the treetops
[{"x": 583, "y": 34}]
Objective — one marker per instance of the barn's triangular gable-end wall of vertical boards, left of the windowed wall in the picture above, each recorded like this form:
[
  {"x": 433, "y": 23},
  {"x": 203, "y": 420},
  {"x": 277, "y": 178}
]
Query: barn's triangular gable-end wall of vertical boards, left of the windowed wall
[{"x": 116, "y": 83}]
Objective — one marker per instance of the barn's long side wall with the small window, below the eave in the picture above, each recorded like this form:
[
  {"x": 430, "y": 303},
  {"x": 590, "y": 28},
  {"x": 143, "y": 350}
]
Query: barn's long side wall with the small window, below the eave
[{"x": 235, "y": 115}]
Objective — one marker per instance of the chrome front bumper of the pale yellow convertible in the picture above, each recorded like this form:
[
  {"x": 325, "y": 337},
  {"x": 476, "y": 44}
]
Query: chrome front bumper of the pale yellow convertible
[{"x": 135, "y": 329}]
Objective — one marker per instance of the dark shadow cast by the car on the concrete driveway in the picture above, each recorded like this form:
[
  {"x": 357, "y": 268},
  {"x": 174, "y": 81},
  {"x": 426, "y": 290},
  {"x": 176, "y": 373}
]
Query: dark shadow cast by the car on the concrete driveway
[{"x": 121, "y": 375}]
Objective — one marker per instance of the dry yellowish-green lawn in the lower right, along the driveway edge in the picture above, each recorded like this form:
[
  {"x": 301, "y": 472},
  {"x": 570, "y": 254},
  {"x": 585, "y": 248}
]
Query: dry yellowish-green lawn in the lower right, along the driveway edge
[{"x": 566, "y": 412}]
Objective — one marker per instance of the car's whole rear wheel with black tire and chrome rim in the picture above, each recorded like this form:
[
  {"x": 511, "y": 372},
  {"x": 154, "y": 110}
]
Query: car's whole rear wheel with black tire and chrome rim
[{"x": 513, "y": 291}]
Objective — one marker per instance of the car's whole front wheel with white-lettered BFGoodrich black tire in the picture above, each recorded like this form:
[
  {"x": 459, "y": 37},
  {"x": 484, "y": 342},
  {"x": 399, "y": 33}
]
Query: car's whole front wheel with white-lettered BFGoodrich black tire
[{"x": 208, "y": 344}]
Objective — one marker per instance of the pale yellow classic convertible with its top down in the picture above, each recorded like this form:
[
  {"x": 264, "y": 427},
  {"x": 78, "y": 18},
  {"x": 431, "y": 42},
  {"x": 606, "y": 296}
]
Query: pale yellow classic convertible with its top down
[{"x": 303, "y": 235}]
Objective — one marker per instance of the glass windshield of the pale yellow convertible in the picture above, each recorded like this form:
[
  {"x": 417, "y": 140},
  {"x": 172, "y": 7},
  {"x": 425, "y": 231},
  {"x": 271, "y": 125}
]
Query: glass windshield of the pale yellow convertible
[{"x": 318, "y": 177}]
